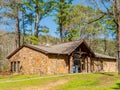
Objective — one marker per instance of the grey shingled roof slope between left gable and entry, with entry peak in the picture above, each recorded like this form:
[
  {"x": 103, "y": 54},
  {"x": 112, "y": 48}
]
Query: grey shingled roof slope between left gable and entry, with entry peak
[{"x": 64, "y": 48}]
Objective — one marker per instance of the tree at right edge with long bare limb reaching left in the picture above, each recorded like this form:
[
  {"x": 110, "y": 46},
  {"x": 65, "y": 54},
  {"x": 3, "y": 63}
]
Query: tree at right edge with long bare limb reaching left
[{"x": 109, "y": 8}]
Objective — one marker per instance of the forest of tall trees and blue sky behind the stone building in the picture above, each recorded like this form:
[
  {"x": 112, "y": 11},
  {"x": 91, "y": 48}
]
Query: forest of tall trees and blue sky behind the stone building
[{"x": 24, "y": 22}]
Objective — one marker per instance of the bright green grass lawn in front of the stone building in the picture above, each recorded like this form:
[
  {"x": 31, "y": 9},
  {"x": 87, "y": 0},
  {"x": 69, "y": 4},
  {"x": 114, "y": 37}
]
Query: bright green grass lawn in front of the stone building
[{"x": 103, "y": 81}]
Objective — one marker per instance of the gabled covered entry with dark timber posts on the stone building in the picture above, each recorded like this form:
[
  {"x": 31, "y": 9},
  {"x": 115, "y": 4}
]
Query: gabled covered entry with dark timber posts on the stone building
[{"x": 81, "y": 59}]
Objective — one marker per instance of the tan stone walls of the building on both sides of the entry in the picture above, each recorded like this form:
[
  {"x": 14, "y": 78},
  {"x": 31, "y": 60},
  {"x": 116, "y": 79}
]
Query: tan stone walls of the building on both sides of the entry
[{"x": 34, "y": 62}]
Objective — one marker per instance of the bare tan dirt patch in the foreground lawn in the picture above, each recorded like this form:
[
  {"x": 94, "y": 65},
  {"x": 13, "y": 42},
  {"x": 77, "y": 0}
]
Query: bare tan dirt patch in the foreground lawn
[{"x": 48, "y": 86}]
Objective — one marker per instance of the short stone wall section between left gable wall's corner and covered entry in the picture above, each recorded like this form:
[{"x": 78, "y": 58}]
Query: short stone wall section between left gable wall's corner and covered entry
[{"x": 58, "y": 64}]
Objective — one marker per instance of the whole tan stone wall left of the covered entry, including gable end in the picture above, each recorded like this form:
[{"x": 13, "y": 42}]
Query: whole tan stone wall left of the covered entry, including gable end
[{"x": 34, "y": 62}]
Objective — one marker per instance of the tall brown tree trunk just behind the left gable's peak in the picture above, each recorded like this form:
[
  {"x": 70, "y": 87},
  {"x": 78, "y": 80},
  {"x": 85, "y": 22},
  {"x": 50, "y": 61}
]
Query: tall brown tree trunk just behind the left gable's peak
[{"x": 17, "y": 31}]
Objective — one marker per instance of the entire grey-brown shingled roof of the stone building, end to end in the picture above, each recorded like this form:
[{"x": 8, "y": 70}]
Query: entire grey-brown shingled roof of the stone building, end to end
[{"x": 64, "y": 48}]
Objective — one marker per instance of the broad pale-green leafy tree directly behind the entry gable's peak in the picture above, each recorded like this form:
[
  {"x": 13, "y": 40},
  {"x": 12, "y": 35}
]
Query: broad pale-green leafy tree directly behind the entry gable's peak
[{"x": 76, "y": 25}]
